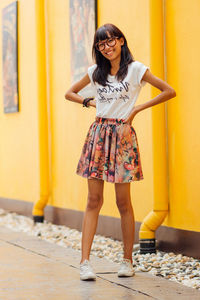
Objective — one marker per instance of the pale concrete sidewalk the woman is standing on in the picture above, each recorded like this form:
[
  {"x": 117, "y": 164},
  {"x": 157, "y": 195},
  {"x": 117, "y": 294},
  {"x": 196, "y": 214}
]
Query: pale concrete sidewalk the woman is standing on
[{"x": 35, "y": 269}]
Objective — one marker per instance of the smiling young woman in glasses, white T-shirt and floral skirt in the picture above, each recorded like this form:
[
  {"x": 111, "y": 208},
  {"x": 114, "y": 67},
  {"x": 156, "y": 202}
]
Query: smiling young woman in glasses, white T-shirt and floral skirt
[{"x": 111, "y": 151}]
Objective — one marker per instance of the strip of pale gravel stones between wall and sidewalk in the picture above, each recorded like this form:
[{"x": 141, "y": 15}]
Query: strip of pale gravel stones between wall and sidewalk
[{"x": 179, "y": 268}]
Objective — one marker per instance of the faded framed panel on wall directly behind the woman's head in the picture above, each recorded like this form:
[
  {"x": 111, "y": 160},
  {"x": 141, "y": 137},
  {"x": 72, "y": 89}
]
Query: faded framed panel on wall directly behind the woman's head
[{"x": 83, "y": 23}]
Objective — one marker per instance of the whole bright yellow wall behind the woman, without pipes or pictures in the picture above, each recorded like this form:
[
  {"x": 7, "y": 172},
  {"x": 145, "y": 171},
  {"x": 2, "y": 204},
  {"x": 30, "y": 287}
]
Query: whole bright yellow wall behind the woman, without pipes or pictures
[{"x": 69, "y": 122}]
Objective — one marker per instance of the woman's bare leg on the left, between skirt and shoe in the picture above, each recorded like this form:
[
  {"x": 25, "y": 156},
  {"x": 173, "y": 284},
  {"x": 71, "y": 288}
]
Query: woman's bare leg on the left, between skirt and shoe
[{"x": 94, "y": 204}]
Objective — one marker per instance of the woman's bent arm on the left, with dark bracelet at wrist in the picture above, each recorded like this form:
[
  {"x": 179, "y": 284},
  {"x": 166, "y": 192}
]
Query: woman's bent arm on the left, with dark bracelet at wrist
[{"x": 72, "y": 93}]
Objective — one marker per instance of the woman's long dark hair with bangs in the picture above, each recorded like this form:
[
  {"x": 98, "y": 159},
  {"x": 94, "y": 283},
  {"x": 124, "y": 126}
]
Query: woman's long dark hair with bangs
[{"x": 102, "y": 70}]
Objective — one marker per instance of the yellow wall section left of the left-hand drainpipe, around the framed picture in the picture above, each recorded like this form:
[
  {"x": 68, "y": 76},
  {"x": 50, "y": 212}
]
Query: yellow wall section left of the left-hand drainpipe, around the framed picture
[{"x": 19, "y": 131}]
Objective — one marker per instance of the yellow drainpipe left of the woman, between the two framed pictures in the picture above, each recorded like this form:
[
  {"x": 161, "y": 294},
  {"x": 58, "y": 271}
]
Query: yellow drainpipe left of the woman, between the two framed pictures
[{"x": 38, "y": 209}]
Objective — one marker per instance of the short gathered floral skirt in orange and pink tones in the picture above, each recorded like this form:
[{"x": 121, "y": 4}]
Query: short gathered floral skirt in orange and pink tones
[{"x": 110, "y": 152}]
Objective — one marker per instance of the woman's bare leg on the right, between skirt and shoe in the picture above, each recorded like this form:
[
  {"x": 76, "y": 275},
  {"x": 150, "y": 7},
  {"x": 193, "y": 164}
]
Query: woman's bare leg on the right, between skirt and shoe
[{"x": 123, "y": 199}]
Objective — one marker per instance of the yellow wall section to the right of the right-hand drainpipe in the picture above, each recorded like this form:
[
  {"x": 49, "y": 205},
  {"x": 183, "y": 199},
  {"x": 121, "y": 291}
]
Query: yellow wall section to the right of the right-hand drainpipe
[{"x": 183, "y": 62}]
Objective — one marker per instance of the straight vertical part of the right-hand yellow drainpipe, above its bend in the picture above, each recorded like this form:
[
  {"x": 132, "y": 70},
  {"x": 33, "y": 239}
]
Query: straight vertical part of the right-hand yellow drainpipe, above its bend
[{"x": 158, "y": 111}]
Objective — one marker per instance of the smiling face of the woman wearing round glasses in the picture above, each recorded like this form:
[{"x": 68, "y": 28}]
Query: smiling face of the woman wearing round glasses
[{"x": 112, "y": 52}]
